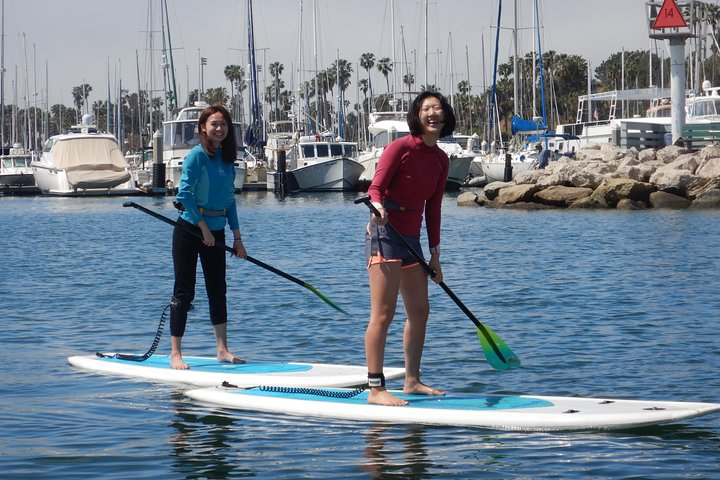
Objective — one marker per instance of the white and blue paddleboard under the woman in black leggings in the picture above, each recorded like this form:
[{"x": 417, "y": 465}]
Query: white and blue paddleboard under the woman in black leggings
[{"x": 209, "y": 372}]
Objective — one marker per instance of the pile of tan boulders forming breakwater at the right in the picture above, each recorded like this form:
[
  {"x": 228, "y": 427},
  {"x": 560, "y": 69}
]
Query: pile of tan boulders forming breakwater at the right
[{"x": 610, "y": 177}]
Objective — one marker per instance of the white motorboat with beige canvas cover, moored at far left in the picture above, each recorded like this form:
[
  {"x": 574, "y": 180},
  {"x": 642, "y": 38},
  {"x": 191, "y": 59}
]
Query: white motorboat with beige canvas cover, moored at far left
[{"x": 83, "y": 162}]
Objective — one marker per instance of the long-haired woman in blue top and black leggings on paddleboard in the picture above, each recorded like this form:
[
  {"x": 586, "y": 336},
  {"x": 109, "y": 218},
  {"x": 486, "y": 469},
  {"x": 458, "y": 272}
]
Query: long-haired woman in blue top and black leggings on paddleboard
[{"x": 207, "y": 195}]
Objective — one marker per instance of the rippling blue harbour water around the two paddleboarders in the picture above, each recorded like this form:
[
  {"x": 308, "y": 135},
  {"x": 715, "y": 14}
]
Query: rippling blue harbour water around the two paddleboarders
[{"x": 611, "y": 304}]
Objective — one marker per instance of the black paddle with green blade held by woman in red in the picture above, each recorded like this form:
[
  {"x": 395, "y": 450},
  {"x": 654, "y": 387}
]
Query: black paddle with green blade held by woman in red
[{"x": 498, "y": 354}]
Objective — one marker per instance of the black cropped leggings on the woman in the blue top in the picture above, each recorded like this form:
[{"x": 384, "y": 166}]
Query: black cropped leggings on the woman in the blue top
[{"x": 185, "y": 249}]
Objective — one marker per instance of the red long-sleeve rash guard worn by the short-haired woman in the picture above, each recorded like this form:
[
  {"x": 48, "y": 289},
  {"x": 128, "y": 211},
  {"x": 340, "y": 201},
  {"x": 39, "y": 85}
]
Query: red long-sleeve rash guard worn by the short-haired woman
[{"x": 409, "y": 179}]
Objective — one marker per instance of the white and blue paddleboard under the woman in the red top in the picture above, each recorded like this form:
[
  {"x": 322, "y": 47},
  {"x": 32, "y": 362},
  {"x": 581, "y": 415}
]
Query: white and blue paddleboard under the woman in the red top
[{"x": 506, "y": 412}]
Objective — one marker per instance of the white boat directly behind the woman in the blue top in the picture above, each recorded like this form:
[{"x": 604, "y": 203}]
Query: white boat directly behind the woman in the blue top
[{"x": 181, "y": 135}]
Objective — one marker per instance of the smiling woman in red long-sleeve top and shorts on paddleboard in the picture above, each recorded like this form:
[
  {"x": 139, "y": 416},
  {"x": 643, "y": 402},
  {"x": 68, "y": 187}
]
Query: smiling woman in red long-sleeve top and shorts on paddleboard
[{"x": 409, "y": 181}]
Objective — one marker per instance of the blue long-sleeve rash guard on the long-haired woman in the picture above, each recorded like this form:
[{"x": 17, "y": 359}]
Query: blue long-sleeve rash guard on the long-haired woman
[{"x": 208, "y": 183}]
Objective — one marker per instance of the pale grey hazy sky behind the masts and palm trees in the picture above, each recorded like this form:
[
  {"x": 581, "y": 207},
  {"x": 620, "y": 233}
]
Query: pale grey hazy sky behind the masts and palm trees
[{"x": 78, "y": 41}]
